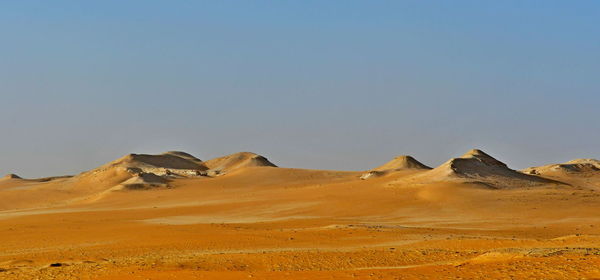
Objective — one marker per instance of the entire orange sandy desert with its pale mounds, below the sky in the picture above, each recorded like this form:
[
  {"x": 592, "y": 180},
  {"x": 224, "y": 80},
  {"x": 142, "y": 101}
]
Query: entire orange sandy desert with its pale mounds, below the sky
[{"x": 174, "y": 216}]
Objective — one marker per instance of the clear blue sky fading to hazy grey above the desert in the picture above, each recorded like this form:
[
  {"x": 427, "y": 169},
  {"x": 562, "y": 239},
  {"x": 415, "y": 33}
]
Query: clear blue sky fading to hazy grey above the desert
[{"x": 343, "y": 85}]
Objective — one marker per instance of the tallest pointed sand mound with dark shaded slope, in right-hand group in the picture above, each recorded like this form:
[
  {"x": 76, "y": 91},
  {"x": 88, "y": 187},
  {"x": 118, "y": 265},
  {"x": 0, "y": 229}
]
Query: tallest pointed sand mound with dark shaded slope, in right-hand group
[{"x": 478, "y": 167}]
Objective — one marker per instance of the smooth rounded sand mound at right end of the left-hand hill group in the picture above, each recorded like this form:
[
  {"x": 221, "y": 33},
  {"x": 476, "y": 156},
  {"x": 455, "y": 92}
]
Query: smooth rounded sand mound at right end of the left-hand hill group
[{"x": 222, "y": 165}]
